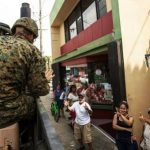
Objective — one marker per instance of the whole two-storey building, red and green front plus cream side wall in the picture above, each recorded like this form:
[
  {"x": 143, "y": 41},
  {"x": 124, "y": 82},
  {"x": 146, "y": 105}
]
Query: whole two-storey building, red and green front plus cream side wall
[{"x": 105, "y": 40}]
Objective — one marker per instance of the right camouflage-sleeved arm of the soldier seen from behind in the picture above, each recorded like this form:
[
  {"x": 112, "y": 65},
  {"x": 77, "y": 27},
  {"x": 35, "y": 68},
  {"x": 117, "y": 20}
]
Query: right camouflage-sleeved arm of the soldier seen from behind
[{"x": 37, "y": 82}]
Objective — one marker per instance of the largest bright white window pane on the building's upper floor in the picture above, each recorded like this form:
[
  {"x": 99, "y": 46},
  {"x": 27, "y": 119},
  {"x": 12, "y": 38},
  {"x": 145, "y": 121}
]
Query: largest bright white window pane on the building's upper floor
[{"x": 89, "y": 15}]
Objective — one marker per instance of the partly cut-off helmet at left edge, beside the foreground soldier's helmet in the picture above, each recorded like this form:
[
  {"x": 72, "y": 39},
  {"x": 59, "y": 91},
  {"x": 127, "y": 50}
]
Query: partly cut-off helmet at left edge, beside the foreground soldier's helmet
[{"x": 4, "y": 29}]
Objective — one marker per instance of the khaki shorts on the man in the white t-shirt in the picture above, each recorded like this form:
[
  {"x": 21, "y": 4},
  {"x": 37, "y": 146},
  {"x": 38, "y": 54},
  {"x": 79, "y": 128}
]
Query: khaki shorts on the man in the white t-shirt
[{"x": 83, "y": 132}]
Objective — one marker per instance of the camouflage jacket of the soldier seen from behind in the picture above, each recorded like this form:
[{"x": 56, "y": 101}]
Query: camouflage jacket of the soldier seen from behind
[{"x": 21, "y": 67}]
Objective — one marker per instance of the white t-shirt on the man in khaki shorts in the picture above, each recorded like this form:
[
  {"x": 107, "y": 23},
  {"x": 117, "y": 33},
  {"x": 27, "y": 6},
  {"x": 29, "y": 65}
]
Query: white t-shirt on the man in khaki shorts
[{"x": 82, "y": 115}]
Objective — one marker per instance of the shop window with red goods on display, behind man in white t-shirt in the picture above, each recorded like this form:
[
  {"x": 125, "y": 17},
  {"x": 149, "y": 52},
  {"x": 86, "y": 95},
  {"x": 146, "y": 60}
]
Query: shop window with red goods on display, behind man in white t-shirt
[{"x": 100, "y": 90}]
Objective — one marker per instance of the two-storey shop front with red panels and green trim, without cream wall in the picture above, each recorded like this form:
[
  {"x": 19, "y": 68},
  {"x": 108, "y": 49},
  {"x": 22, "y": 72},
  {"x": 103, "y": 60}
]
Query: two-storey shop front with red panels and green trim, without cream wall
[{"x": 93, "y": 54}]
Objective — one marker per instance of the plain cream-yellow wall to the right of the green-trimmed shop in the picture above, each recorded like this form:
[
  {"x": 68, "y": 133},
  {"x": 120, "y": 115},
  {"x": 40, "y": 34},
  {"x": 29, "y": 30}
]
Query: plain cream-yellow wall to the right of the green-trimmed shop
[{"x": 135, "y": 30}]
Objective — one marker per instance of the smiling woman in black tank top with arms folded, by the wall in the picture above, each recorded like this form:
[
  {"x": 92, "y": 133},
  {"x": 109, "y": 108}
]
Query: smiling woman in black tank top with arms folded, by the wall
[{"x": 123, "y": 124}]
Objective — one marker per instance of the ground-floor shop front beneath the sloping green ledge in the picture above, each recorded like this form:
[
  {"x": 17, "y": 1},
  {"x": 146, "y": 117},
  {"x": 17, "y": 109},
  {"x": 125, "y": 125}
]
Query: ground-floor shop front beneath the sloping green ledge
[{"x": 103, "y": 70}]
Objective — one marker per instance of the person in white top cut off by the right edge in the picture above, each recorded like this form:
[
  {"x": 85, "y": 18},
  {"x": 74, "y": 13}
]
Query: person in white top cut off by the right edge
[{"x": 145, "y": 142}]
